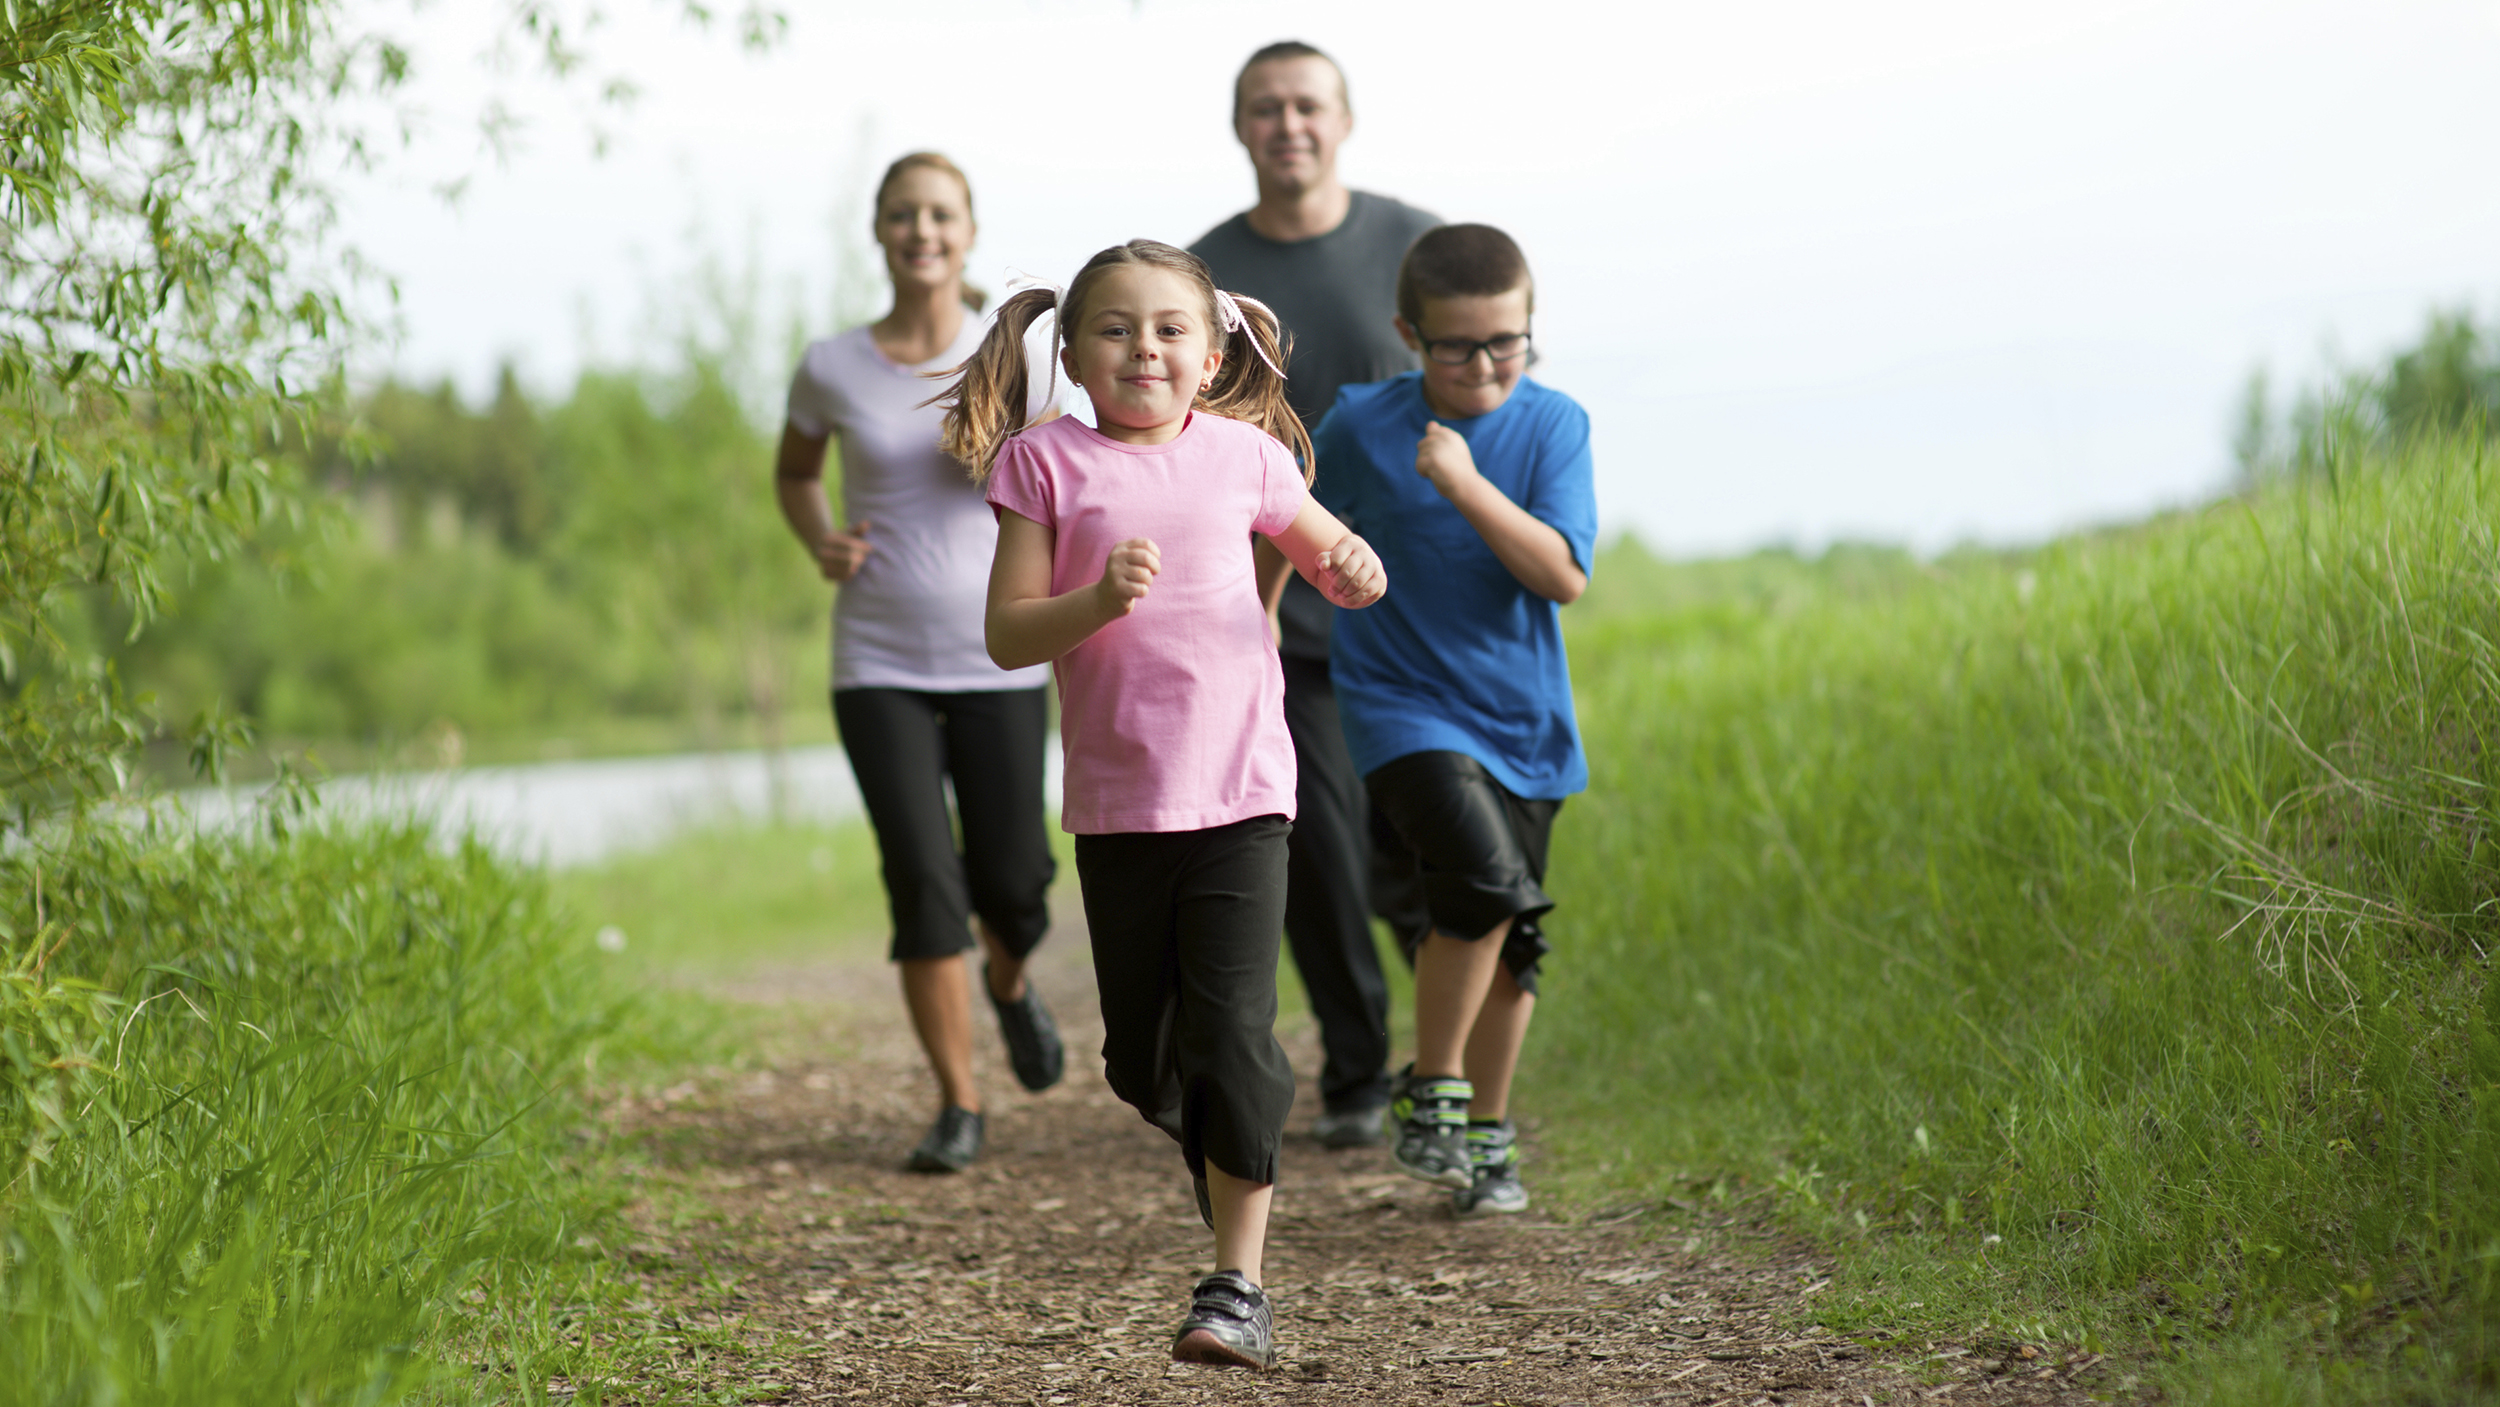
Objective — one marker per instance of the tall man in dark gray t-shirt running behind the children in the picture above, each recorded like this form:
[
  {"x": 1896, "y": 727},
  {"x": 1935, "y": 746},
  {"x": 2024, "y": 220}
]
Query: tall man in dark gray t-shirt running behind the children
[{"x": 1326, "y": 261}]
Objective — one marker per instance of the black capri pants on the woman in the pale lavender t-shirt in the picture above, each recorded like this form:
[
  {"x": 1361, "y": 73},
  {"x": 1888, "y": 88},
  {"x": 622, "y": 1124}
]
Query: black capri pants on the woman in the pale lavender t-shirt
[{"x": 904, "y": 748}]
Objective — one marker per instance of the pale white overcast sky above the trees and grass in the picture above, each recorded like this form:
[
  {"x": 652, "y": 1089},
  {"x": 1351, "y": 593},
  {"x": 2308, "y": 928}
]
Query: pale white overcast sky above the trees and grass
[{"x": 1926, "y": 271}]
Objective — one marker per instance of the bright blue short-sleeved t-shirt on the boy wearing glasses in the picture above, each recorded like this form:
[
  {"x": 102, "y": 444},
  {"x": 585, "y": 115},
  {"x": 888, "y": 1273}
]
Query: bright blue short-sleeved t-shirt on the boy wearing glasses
[{"x": 1459, "y": 656}]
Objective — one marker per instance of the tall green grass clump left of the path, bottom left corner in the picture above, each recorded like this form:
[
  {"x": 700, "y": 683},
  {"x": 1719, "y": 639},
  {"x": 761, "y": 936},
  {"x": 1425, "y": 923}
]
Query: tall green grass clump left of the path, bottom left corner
[{"x": 271, "y": 1106}]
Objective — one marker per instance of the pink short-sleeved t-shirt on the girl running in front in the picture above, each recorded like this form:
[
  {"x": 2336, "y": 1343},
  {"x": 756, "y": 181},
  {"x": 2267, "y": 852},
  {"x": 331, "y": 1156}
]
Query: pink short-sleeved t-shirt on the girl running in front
[{"x": 1174, "y": 716}]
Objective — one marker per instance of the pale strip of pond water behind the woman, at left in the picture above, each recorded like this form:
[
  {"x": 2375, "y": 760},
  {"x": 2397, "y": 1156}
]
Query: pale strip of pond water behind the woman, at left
[{"x": 581, "y": 813}]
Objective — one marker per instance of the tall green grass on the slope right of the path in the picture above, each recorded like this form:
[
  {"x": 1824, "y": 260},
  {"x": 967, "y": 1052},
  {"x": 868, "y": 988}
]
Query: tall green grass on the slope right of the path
[{"x": 2111, "y": 923}]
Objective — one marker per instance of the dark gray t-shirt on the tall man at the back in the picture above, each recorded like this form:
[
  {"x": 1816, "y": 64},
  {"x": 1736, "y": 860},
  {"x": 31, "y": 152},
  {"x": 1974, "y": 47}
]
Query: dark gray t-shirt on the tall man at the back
[{"x": 1336, "y": 294}]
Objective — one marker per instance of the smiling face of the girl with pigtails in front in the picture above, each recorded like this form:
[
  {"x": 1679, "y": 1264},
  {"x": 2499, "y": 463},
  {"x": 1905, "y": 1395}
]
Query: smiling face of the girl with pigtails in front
[{"x": 1144, "y": 351}]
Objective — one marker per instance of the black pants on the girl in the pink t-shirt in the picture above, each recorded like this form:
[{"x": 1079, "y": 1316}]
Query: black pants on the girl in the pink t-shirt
[{"x": 1186, "y": 931}]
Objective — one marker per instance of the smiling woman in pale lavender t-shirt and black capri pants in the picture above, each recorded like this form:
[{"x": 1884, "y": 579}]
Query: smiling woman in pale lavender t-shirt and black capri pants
[{"x": 916, "y": 699}]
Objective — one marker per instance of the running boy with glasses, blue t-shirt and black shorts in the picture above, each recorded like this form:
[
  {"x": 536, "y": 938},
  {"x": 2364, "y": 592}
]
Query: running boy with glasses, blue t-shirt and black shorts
[{"x": 1456, "y": 696}]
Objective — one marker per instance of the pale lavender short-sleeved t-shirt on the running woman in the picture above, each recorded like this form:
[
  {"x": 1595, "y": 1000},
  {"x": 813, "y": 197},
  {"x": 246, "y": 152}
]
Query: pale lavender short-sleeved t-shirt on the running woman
[{"x": 911, "y": 619}]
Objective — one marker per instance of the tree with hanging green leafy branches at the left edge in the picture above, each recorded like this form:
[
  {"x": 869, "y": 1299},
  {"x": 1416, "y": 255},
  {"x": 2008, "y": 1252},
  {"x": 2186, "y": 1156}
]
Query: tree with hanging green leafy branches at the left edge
[{"x": 161, "y": 326}]
